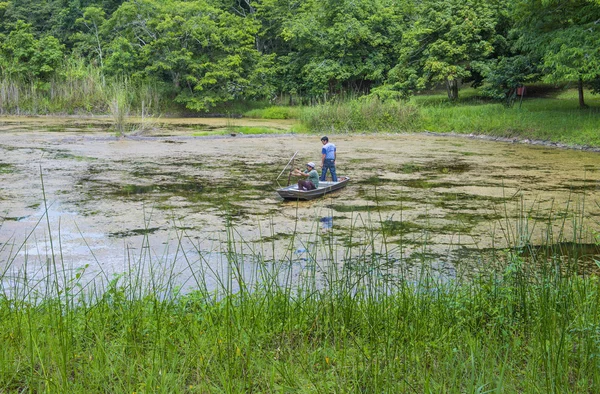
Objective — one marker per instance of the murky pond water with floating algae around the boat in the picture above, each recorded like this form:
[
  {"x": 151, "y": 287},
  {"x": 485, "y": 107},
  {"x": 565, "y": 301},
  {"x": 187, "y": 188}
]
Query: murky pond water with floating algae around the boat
[{"x": 172, "y": 201}]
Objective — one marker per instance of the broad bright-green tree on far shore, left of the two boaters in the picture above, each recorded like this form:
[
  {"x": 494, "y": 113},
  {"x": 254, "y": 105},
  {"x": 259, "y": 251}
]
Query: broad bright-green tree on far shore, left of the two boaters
[{"x": 206, "y": 54}]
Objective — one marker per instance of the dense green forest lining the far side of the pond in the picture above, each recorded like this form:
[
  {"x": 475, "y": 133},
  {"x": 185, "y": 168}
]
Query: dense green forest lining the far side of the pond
[{"x": 202, "y": 53}]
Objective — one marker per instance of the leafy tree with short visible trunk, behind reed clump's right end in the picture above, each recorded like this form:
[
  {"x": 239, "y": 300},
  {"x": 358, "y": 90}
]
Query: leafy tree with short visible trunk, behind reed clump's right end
[{"x": 442, "y": 41}]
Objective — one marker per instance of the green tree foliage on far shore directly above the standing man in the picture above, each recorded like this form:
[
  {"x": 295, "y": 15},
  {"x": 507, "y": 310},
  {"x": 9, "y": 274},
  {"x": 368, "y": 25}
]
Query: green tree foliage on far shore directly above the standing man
[{"x": 351, "y": 50}]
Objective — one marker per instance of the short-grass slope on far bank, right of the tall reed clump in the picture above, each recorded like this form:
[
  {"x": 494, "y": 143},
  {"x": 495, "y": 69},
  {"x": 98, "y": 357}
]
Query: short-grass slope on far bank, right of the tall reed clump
[{"x": 555, "y": 118}]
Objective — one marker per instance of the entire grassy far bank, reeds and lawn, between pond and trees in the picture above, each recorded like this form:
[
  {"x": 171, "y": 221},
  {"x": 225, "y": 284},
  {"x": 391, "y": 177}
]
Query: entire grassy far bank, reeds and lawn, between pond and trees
[{"x": 552, "y": 115}]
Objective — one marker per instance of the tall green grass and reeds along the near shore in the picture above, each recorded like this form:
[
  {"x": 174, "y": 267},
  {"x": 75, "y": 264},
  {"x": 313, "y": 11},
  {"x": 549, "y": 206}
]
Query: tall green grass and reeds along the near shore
[{"x": 312, "y": 325}]
